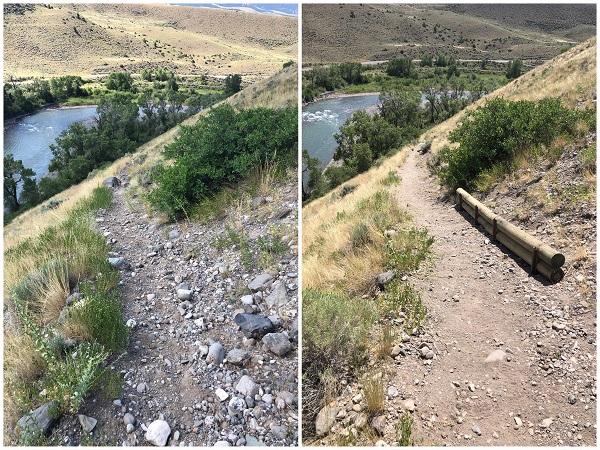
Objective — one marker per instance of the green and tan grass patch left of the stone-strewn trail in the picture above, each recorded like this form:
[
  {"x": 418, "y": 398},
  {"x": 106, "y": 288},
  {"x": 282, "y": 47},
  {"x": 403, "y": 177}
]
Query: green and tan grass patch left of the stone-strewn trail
[{"x": 57, "y": 349}]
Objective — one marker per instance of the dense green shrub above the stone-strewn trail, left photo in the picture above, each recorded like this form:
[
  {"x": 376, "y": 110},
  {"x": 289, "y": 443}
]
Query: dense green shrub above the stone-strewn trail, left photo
[{"x": 221, "y": 149}]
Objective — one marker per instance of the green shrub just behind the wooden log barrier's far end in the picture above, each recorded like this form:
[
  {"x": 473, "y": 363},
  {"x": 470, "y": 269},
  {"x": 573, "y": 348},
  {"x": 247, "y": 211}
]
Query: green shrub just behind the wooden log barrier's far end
[{"x": 496, "y": 132}]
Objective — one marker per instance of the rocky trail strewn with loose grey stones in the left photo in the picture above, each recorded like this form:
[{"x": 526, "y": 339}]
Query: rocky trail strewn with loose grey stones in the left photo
[{"x": 212, "y": 355}]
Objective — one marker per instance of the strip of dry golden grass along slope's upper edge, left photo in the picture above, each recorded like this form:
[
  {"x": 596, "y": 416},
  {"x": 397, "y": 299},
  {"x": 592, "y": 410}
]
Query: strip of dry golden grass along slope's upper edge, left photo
[{"x": 279, "y": 90}]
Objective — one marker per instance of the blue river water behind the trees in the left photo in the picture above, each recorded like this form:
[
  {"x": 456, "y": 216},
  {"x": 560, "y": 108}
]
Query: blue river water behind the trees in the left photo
[{"x": 29, "y": 137}]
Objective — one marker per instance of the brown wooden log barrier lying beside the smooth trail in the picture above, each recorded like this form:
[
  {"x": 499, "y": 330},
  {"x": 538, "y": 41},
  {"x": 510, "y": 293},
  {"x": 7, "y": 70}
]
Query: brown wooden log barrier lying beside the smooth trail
[{"x": 541, "y": 257}]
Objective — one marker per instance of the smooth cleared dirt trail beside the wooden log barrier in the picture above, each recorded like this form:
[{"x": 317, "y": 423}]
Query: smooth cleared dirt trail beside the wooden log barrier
[{"x": 479, "y": 300}]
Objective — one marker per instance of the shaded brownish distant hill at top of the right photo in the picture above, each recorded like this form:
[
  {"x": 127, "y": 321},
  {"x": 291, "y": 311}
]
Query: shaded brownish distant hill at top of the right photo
[{"x": 365, "y": 32}]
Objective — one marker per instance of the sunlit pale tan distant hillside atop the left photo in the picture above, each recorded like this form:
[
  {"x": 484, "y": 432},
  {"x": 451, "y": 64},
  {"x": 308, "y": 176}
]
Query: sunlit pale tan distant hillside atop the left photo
[{"x": 98, "y": 39}]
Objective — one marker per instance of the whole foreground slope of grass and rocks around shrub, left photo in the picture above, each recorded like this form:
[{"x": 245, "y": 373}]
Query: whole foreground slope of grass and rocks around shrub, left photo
[{"x": 205, "y": 350}]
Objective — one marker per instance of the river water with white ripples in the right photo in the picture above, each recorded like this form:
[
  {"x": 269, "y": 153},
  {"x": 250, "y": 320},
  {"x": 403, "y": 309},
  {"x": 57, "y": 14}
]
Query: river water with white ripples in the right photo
[{"x": 323, "y": 118}]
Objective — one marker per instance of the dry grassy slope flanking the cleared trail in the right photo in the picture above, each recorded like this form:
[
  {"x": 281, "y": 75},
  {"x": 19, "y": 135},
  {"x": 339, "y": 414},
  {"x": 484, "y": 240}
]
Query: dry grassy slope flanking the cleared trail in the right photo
[{"x": 356, "y": 233}]
